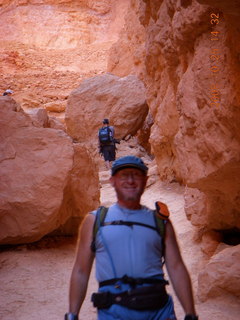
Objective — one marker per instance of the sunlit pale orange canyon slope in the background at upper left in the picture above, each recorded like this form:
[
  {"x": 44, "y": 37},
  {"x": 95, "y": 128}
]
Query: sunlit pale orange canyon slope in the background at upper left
[{"x": 48, "y": 47}]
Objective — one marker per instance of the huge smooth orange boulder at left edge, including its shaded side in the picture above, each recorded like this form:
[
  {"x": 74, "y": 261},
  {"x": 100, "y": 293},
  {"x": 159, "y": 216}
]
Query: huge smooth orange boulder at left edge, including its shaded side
[{"x": 42, "y": 174}]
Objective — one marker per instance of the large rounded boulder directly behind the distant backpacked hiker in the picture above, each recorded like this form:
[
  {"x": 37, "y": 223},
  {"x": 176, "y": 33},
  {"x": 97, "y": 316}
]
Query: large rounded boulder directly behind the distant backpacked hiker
[{"x": 121, "y": 100}]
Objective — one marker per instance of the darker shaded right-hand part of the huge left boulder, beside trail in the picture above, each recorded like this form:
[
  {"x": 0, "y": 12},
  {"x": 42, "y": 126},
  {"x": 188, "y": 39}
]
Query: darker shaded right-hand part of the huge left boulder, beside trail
[{"x": 82, "y": 192}]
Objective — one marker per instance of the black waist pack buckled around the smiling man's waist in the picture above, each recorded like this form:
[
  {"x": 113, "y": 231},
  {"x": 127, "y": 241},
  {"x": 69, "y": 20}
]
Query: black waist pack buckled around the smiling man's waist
[{"x": 144, "y": 298}]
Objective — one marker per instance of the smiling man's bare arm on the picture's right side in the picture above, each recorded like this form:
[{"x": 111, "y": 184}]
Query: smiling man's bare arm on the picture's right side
[{"x": 177, "y": 271}]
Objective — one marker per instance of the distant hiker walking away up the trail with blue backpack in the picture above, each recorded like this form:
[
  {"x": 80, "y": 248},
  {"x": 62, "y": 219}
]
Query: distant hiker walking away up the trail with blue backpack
[{"x": 107, "y": 143}]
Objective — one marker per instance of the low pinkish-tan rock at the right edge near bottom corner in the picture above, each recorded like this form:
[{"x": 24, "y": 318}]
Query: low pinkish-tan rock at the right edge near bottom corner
[{"x": 221, "y": 275}]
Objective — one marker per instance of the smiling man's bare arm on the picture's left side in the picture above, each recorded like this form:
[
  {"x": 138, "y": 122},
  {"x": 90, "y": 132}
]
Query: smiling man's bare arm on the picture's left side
[{"x": 82, "y": 266}]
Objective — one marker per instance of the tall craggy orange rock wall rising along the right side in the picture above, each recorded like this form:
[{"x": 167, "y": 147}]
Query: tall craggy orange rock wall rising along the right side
[{"x": 191, "y": 74}]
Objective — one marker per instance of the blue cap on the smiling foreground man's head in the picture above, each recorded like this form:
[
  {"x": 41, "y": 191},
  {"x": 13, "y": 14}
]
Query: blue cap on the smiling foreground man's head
[{"x": 129, "y": 162}]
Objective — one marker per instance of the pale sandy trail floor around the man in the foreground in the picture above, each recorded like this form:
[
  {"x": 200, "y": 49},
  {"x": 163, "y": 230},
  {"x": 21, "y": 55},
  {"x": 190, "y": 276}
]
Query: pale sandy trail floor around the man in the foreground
[{"x": 34, "y": 278}]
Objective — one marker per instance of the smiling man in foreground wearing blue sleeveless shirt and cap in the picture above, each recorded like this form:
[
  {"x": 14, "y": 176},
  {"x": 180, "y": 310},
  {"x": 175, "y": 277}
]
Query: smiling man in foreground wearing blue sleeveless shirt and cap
[{"x": 131, "y": 244}]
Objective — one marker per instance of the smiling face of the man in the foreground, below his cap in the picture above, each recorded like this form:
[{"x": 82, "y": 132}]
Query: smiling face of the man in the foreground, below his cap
[{"x": 129, "y": 184}]
